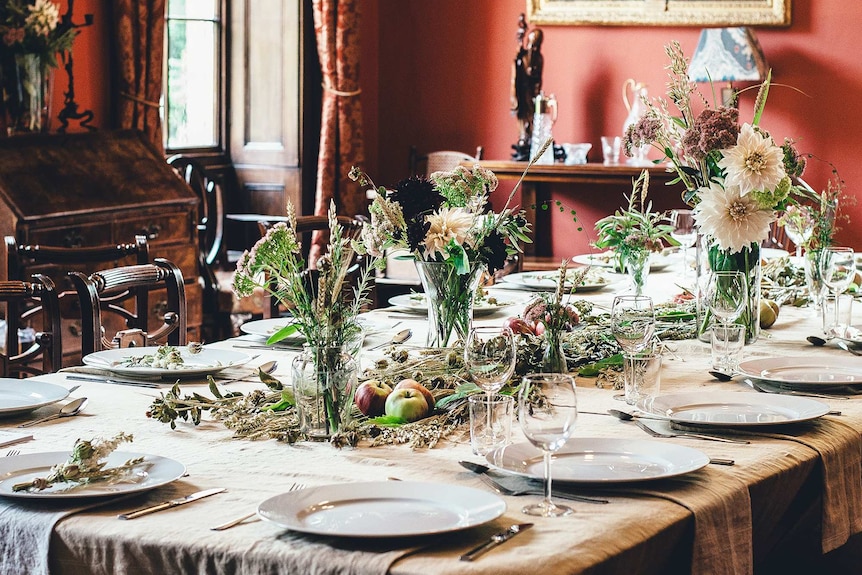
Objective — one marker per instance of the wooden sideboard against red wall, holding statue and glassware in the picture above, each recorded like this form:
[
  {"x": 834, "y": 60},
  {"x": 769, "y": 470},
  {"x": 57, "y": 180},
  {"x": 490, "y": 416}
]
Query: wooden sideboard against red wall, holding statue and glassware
[{"x": 582, "y": 185}]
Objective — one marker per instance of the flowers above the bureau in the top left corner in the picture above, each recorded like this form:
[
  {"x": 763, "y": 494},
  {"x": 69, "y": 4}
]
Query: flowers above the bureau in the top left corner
[{"x": 32, "y": 27}]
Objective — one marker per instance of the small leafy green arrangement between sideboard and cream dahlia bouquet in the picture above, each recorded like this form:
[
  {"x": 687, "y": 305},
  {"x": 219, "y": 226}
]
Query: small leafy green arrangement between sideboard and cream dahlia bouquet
[{"x": 634, "y": 231}]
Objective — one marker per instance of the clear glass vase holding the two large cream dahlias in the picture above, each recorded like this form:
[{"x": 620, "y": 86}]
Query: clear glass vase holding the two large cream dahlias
[{"x": 746, "y": 261}]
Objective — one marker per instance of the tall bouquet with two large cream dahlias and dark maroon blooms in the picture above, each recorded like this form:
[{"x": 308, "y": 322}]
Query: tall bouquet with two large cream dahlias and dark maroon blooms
[{"x": 736, "y": 177}]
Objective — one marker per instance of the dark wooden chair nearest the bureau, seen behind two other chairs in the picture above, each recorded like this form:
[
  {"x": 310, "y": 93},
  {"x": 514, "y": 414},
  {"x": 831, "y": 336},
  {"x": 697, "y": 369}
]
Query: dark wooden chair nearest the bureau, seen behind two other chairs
[{"x": 23, "y": 260}]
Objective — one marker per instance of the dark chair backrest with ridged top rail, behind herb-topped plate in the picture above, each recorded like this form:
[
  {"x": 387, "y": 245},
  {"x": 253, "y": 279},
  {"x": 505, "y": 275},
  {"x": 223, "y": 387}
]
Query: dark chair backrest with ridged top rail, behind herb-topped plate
[{"x": 110, "y": 290}]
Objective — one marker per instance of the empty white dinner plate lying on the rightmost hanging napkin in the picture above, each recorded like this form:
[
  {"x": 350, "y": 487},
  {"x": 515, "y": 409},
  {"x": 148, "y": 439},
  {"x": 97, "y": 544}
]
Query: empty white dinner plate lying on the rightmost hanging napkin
[{"x": 735, "y": 409}]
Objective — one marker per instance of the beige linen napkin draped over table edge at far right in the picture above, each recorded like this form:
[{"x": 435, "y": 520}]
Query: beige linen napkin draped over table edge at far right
[{"x": 840, "y": 450}]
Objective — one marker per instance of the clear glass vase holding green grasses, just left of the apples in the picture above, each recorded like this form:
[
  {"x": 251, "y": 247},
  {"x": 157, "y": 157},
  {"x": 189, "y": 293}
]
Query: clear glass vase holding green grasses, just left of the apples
[{"x": 324, "y": 381}]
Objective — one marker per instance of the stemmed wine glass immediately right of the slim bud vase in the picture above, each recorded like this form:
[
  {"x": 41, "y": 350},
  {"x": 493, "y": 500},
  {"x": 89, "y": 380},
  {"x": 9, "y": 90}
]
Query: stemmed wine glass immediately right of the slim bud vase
[{"x": 633, "y": 326}]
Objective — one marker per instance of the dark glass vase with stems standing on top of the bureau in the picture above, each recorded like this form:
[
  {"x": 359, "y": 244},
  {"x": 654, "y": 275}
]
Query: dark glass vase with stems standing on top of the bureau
[{"x": 27, "y": 91}]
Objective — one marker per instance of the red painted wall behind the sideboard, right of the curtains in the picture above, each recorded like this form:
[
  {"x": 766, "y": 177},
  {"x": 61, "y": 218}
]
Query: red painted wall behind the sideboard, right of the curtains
[{"x": 440, "y": 74}]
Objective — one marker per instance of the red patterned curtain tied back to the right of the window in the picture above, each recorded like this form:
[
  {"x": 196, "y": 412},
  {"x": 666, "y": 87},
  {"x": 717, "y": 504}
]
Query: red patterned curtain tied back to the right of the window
[{"x": 336, "y": 26}]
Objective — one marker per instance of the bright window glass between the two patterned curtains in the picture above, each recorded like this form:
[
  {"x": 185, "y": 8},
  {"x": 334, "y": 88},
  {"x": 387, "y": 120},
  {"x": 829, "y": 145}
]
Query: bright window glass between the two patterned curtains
[{"x": 192, "y": 100}]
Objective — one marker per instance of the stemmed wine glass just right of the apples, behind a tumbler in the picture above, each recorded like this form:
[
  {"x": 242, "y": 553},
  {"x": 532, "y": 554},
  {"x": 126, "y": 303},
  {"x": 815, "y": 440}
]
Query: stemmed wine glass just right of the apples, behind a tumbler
[{"x": 490, "y": 356}]
